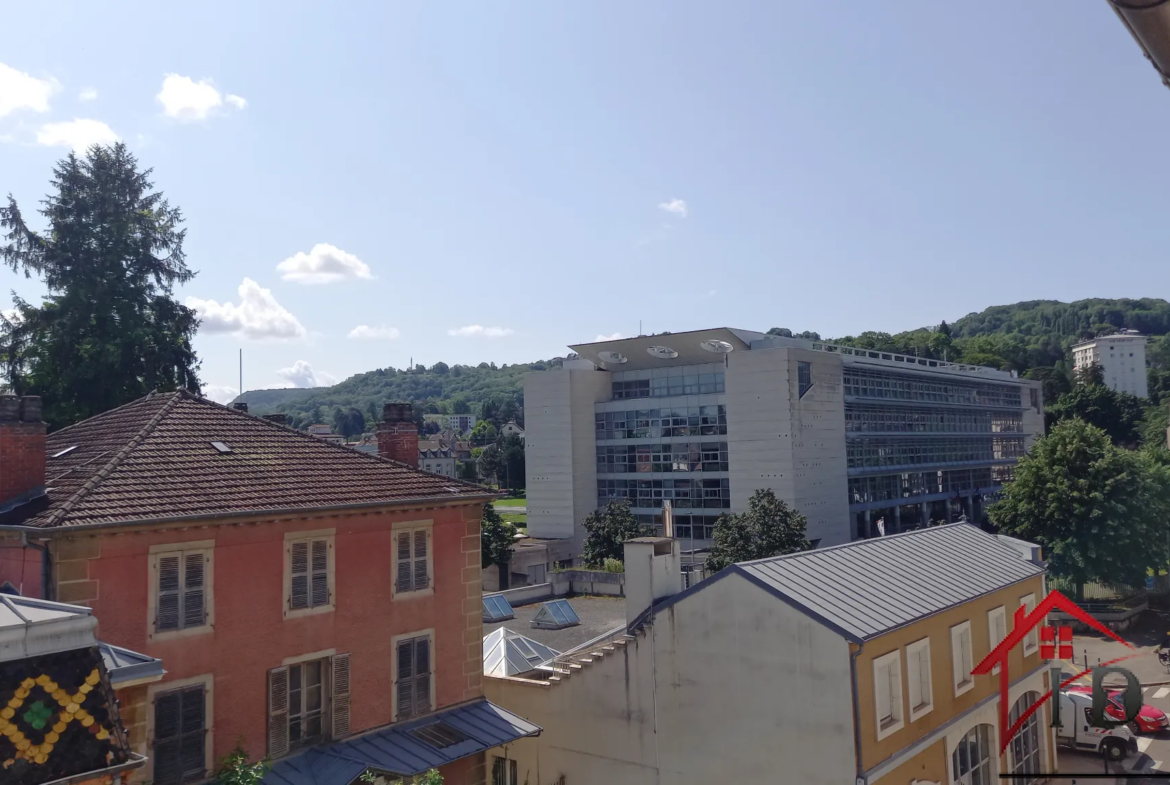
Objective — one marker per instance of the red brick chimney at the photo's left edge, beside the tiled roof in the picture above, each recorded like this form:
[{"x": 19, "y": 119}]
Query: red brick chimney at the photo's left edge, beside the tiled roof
[{"x": 22, "y": 450}]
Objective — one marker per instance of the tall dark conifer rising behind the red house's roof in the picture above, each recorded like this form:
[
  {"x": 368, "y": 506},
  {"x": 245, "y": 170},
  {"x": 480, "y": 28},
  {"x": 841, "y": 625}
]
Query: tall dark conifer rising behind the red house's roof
[{"x": 109, "y": 329}]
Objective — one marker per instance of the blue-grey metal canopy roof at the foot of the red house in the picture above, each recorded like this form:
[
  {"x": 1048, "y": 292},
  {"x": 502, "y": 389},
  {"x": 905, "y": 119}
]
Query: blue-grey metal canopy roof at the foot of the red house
[{"x": 396, "y": 752}]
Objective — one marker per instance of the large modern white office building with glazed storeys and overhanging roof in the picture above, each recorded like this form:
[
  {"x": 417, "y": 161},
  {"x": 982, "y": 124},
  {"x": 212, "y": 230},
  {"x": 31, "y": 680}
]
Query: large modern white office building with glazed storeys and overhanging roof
[{"x": 705, "y": 419}]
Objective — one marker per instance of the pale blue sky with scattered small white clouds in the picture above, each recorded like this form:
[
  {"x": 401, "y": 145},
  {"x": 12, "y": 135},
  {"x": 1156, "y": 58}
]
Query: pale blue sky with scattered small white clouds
[{"x": 369, "y": 183}]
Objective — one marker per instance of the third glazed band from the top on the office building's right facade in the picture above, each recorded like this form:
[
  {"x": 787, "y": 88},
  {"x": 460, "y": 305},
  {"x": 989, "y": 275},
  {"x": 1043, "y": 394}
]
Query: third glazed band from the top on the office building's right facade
[{"x": 875, "y": 452}]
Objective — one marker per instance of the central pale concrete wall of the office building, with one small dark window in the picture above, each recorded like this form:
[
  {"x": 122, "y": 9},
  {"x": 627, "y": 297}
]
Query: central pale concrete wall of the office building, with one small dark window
[{"x": 795, "y": 446}]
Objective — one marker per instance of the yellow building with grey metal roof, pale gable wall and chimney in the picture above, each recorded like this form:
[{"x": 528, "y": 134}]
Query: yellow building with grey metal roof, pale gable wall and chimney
[{"x": 842, "y": 665}]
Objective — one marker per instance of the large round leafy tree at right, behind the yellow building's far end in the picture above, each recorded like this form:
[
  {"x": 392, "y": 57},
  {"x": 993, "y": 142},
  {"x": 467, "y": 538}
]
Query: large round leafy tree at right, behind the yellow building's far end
[{"x": 1098, "y": 511}]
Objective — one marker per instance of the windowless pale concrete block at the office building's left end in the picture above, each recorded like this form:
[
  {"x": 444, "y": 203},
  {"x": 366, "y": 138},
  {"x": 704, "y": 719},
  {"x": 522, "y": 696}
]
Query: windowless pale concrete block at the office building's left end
[{"x": 561, "y": 452}]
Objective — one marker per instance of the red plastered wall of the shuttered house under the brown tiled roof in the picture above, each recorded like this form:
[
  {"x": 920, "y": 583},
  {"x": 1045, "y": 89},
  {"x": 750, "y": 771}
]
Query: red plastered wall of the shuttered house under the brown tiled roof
[{"x": 250, "y": 635}]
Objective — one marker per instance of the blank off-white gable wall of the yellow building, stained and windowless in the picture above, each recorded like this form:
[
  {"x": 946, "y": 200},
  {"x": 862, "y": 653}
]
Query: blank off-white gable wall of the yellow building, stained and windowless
[{"x": 724, "y": 687}]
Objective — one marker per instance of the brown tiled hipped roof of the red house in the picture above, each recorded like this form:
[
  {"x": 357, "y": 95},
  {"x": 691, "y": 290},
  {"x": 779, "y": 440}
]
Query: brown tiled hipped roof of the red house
[{"x": 155, "y": 459}]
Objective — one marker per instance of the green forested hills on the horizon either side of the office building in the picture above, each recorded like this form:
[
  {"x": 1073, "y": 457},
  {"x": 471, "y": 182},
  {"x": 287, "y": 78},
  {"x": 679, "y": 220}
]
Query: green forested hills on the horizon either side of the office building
[{"x": 1031, "y": 338}]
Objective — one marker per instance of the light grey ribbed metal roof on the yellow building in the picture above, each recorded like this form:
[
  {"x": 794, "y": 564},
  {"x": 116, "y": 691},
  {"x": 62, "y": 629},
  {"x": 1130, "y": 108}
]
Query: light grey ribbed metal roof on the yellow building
[{"x": 872, "y": 587}]
